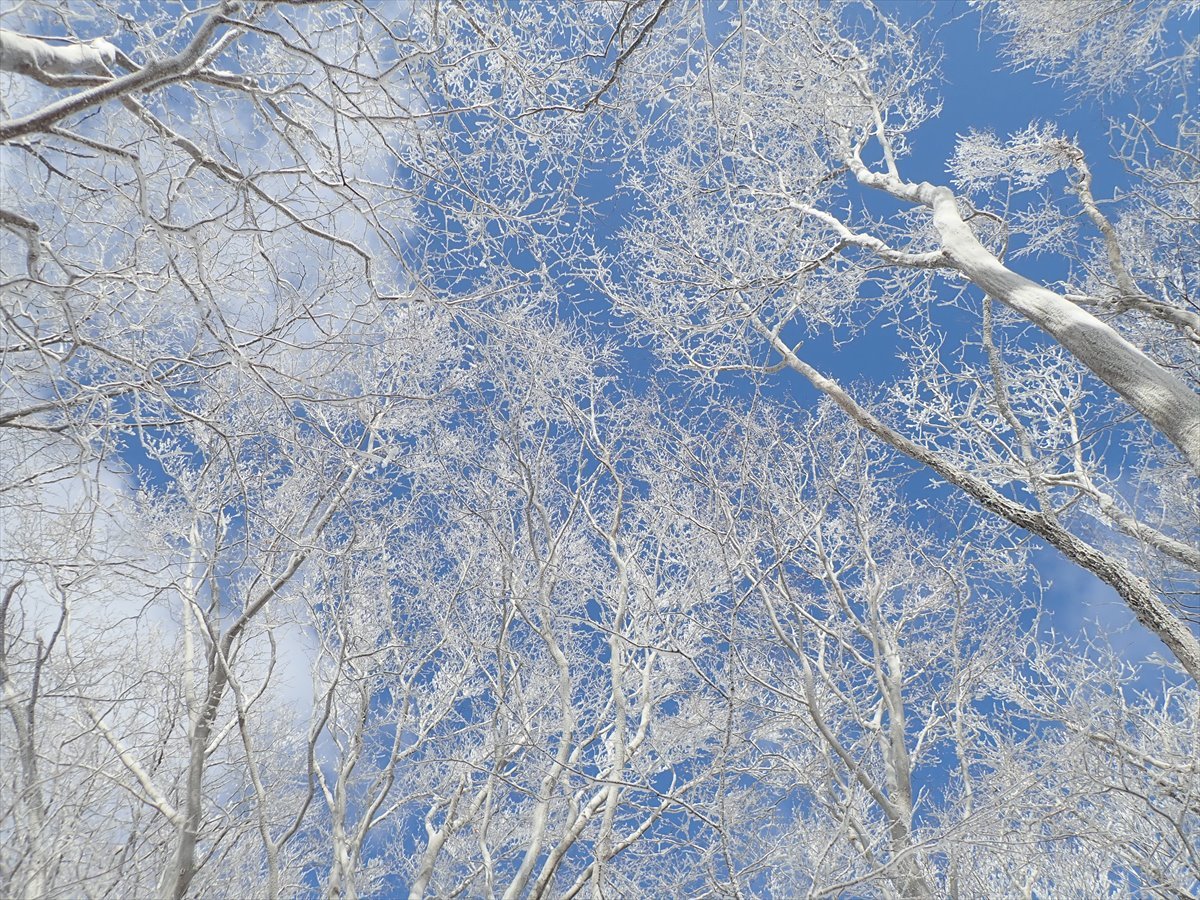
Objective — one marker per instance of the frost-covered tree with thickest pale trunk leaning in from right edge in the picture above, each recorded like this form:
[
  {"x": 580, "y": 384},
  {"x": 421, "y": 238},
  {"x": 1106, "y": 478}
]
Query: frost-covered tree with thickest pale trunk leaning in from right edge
[{"x": 773, "y": 121}]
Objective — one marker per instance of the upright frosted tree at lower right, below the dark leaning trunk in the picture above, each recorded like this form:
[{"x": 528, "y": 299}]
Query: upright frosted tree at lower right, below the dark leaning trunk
[{"x": 883, "y": 692}]
